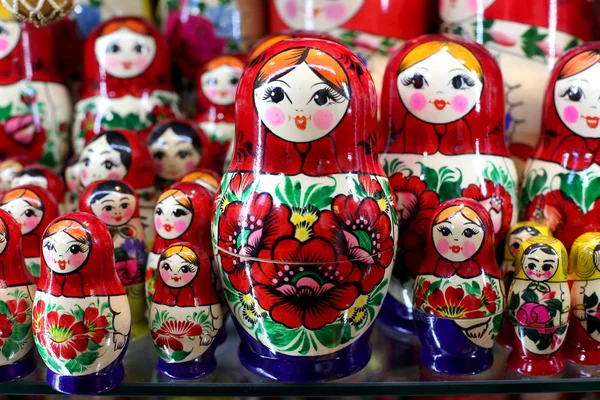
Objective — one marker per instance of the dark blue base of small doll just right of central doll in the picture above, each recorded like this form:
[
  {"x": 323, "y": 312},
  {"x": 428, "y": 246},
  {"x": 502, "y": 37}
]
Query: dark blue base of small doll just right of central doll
[{"x": 445, "y": 349}]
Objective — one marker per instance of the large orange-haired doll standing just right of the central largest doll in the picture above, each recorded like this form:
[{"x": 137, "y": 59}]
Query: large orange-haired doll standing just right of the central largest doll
[{"x": 442, "y": 128}]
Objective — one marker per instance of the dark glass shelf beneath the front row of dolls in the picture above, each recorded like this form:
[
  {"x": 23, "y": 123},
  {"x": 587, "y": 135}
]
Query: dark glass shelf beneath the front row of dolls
[{"x": 393, "y": 371}]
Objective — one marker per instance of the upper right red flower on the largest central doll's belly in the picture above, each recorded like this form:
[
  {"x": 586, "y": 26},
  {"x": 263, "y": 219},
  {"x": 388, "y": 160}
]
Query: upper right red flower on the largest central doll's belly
[{"x": 361, "y": 231}]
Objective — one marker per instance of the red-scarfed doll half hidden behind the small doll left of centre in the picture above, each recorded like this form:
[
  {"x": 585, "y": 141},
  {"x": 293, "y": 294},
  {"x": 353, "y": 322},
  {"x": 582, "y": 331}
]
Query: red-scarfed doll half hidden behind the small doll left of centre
[{"x": 182, "y": 214}]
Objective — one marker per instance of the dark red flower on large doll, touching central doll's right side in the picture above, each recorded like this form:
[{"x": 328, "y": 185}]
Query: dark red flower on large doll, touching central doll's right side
[{"x": 415, "y": 205}]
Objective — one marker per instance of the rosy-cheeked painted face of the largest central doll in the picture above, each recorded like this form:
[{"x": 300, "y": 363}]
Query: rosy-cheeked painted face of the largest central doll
[{"x": 299, "y": 106}]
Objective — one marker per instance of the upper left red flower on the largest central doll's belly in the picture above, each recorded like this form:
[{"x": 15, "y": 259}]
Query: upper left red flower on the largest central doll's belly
[{"x": 247, "y": 230}]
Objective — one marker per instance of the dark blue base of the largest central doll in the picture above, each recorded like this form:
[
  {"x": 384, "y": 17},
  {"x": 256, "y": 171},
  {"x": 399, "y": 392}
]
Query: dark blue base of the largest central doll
[{"x": 259, "y": 360}]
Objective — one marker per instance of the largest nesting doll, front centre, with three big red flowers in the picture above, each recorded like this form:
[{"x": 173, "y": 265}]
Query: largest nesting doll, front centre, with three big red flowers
[{"x": 304, "y": 223}]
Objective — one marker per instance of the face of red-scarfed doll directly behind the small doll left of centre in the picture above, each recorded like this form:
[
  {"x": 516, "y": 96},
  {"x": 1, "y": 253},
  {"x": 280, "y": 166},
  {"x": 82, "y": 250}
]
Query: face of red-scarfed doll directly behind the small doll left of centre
[{"x": 171, "y": 219}]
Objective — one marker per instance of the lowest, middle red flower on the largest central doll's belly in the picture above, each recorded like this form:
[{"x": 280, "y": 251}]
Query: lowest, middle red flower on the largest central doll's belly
[{"x": 311, "y": 290}]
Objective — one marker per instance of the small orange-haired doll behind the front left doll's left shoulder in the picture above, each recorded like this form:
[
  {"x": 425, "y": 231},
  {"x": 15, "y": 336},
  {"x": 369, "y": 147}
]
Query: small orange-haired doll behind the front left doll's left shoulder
[{"x": 33, "y": 208}]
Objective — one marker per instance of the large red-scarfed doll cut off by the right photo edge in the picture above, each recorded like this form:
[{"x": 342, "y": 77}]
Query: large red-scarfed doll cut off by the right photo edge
[{"x": 561, "y": 180}]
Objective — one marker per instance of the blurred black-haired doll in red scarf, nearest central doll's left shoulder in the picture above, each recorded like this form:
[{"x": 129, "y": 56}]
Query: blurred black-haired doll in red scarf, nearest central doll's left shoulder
[{"x": 177, "y": 147}]
